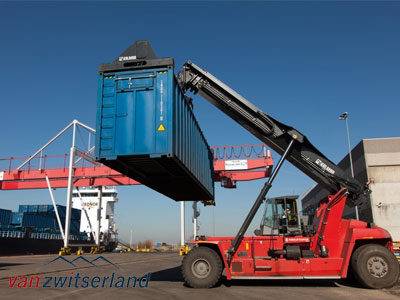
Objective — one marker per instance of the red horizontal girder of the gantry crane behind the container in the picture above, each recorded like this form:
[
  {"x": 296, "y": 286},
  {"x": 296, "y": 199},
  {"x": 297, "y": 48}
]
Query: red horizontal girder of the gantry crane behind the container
[{"x": 231, "y": 164}]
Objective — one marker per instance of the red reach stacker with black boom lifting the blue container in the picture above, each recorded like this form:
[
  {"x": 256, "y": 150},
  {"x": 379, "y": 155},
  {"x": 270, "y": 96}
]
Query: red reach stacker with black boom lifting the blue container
[{"x": 331, "y": 248}]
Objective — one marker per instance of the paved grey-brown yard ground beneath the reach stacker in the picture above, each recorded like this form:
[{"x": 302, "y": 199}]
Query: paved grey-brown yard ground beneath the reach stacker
[{"x": 165, "y": 283}]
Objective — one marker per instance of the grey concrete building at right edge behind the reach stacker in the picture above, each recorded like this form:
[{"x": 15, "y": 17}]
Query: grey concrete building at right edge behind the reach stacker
[{"x": 376, "y": 162}]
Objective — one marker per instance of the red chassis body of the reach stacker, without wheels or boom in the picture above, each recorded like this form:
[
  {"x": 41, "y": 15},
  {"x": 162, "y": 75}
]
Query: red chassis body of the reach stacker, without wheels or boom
[{"x": 332, "y": 245}]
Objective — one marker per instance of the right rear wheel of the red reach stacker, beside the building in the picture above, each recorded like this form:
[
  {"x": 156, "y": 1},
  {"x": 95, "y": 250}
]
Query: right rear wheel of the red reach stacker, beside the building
[{"x": 375, "y": 267}]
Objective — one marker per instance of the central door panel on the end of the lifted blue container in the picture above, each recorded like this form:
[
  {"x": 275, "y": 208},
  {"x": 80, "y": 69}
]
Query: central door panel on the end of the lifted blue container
[{"x": 135, "y": 115}]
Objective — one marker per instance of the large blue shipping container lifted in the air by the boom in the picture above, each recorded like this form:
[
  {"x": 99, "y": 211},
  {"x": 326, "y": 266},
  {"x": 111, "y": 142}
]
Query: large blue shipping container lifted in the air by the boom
[{"x": 146, "y": 128}]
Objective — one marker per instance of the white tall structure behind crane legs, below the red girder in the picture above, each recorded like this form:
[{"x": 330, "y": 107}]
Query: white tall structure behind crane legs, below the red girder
[{"x": 88, "y": 201}]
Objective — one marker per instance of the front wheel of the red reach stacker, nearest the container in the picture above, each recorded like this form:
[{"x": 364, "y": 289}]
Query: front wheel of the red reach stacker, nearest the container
[{"x": 201, "y": 268}]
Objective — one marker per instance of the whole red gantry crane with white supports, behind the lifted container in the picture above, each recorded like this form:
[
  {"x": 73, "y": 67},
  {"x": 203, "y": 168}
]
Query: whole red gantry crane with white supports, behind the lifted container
[{"x": 79, "y": 169}]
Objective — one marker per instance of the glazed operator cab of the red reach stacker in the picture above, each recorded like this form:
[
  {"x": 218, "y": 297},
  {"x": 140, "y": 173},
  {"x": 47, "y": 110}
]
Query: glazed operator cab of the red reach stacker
[{"x": 280, "y": 217}]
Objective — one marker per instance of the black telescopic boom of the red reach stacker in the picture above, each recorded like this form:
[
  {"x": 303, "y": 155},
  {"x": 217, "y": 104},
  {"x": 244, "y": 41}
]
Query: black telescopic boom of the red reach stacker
[{"x": 304, "y": 155}]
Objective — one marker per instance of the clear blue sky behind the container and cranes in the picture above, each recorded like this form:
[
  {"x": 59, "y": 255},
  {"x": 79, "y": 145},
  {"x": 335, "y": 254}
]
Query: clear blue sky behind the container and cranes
[{"x": 302, "y": 62}]
